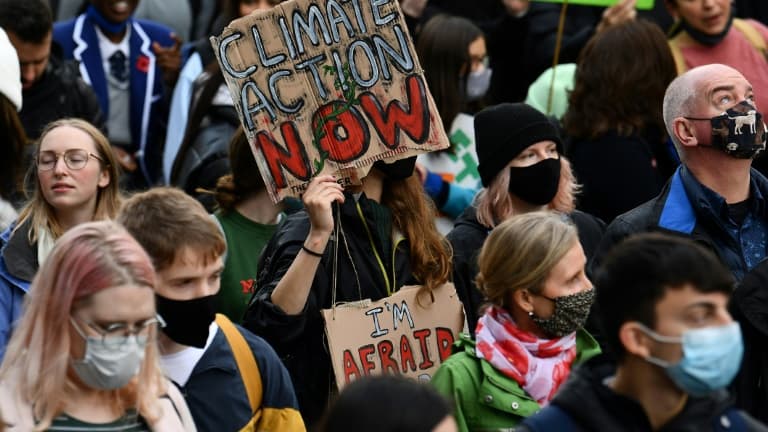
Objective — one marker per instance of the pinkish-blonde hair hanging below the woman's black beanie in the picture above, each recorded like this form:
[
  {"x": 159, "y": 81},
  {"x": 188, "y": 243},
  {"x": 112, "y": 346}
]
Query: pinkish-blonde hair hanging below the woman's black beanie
[{"x": 494, "y": 205}]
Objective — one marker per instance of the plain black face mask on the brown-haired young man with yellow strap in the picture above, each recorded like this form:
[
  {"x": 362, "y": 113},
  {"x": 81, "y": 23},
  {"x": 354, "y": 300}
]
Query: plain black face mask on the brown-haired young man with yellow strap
[{"x": 187, "y": 321}]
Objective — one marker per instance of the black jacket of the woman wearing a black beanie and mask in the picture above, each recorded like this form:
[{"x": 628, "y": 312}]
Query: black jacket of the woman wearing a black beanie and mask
[{"x": 467, "y": 237}]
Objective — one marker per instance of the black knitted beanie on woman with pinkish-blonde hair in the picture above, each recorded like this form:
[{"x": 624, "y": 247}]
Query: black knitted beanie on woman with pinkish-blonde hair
[{"x": 503, "y": 131}]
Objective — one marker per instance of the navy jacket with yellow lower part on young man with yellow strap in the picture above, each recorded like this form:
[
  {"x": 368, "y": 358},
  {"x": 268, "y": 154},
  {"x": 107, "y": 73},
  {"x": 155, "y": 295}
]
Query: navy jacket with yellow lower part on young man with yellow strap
[{"x": 216, "y": 395}]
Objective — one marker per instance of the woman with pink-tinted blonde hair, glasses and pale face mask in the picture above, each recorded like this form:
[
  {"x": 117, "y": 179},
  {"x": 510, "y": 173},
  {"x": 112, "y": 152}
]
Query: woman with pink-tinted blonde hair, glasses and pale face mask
[{"x": 84, "y": 356}]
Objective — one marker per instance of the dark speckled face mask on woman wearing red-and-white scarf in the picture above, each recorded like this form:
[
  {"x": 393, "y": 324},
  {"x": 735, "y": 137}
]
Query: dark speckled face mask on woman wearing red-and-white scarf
[{"x": 571, "y": 312}]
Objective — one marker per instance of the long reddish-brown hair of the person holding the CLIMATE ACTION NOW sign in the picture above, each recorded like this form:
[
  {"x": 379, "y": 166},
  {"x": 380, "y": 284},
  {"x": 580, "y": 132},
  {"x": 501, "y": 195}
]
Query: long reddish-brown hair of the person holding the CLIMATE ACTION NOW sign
[{"x": 414, "y": 215}]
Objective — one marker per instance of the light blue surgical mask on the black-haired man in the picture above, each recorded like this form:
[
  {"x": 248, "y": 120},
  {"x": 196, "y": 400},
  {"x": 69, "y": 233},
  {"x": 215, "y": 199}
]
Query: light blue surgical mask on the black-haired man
[{"x": 711, "y": 357}]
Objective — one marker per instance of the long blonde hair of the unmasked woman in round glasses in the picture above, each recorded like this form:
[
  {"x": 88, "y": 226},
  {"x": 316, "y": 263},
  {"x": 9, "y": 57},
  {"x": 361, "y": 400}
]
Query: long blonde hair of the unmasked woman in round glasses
[{"x": 42, "y": 214}]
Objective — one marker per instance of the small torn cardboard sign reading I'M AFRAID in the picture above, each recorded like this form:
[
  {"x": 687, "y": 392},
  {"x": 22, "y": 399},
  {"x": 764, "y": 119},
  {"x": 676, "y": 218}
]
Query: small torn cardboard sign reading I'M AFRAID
[{"x": 395, "y": 335}]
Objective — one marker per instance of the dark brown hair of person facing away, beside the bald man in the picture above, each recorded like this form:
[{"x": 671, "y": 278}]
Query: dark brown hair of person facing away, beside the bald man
[{"x": 620, "y": 81}]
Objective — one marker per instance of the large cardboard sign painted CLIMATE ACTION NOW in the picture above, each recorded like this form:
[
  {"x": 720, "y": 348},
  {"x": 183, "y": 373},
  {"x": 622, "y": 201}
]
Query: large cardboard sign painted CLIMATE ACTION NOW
[{"x": 327, "y": 87}]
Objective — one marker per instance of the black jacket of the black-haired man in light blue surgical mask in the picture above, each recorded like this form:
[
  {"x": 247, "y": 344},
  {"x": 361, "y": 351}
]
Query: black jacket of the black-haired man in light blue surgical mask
[{"x": 593, "y": 406}]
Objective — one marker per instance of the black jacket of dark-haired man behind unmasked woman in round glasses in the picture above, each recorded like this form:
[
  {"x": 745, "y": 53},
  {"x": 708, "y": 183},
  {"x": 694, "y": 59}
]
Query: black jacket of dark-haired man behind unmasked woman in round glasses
[{"x": 59, "y": 93}]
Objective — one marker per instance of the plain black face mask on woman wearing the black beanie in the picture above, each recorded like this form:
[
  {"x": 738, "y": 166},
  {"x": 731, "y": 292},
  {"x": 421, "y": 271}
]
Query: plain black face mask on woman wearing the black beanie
[{"x": 536, "y": 184}]
